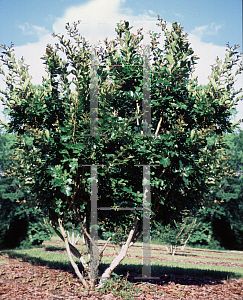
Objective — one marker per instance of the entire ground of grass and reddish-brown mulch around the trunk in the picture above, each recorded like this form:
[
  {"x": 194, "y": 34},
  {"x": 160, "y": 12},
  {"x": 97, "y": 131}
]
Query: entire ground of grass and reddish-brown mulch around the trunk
[{"x": 189, "y": 274}]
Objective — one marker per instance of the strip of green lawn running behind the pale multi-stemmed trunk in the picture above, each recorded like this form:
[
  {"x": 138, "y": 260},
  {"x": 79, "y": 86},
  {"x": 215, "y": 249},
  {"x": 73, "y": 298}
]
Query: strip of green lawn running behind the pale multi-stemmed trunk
[{"x": 48, "y": 255}]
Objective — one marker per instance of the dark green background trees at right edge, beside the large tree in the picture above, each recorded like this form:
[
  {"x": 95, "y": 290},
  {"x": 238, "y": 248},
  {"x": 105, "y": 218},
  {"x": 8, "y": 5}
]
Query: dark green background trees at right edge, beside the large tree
[{"x": 221, "y": 223}]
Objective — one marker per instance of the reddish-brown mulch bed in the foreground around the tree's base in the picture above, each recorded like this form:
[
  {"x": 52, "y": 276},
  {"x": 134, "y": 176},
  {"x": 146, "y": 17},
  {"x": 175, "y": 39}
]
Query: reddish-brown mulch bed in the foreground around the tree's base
[{"x": 22, "y": 280}]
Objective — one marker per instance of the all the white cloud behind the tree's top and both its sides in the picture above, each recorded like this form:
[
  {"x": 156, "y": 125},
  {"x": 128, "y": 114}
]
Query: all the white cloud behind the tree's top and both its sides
[{"x": 110, "y": 12}]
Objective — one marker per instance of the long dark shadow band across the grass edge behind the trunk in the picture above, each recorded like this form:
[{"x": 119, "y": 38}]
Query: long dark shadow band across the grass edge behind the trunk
[{"x": 165, "y": 274}]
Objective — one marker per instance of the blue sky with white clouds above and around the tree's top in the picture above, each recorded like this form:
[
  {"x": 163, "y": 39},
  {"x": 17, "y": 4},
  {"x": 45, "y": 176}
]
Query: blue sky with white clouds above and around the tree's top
[{"x": 210, "y": 25}]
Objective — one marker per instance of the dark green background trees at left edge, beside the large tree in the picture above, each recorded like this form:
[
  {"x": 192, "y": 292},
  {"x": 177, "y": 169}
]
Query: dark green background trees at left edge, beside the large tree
[{"x": 20, "y": 225}]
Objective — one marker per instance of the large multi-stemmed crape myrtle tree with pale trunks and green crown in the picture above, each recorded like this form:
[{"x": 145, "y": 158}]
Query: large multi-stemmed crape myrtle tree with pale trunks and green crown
[{"x": 58, "y": 116}]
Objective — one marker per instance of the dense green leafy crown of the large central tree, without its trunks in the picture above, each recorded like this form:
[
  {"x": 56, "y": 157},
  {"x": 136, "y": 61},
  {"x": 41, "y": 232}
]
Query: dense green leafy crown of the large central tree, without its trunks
[{"x": 57, "y": 120}]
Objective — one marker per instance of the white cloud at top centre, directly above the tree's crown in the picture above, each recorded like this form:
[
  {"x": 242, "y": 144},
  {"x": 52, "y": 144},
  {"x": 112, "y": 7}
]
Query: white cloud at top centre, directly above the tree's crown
[{"x": 107, "y": 12}]
